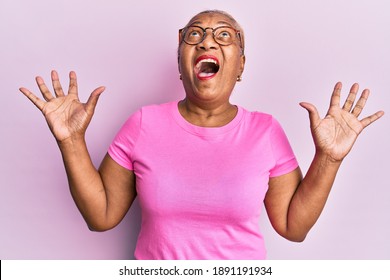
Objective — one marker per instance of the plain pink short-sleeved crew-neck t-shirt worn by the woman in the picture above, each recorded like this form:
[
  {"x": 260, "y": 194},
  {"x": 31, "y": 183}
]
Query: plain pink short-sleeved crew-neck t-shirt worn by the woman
[{"x": 201, "y": 189}]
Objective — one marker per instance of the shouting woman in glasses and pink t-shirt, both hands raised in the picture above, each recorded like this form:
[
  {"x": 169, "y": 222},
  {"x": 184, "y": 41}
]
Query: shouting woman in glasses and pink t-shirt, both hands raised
[{"x": 202, "y": 167}]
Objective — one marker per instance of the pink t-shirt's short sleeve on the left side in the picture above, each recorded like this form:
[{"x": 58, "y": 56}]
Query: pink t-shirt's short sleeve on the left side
[{"x": 123, "y": 145}]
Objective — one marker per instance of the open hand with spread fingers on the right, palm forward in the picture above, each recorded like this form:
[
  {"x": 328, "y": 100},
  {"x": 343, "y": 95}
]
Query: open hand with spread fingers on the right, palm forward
[{"x": 335, "y": 135}]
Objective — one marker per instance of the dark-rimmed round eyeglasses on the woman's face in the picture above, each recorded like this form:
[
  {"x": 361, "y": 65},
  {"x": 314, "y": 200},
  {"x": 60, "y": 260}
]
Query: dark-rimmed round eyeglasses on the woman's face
[{"x": 223, "y": 35}]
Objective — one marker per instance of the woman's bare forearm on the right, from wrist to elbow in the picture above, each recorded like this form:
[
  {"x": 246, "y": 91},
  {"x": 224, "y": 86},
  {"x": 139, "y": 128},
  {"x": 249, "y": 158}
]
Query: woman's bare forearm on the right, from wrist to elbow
[{"x": 311, "y": 196}]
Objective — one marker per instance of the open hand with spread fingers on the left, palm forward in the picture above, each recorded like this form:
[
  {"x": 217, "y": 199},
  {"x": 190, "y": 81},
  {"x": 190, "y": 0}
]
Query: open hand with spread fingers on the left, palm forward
[{"x": 66, "y": 116}]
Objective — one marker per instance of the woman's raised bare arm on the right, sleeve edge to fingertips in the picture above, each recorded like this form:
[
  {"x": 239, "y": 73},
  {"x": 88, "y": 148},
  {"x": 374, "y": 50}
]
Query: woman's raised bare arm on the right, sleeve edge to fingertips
[{"x": 294, "y": 204}]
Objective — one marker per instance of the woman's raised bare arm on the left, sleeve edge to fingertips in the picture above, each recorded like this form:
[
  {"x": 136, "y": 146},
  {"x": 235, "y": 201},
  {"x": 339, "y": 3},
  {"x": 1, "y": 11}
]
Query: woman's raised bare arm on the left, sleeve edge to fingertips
[{"x": 103, "y": 196}]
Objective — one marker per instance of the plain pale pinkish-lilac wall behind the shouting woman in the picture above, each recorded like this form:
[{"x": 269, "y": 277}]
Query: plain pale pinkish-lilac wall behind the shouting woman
[{"x": 296, "y": 51}]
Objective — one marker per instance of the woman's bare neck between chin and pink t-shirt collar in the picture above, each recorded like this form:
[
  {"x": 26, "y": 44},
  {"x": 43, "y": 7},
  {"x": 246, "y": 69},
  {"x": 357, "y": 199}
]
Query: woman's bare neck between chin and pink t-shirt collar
[{"x": 207, "y": 115}]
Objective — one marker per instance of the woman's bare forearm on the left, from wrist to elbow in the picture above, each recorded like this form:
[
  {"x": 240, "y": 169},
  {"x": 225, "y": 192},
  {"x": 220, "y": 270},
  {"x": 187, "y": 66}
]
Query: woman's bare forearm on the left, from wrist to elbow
[{"x": 85, "y": 182}]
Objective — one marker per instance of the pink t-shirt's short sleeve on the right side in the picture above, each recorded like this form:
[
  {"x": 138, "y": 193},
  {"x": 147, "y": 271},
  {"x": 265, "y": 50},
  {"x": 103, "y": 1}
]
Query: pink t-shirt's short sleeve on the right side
[{"x": 284, "y": 157}]
